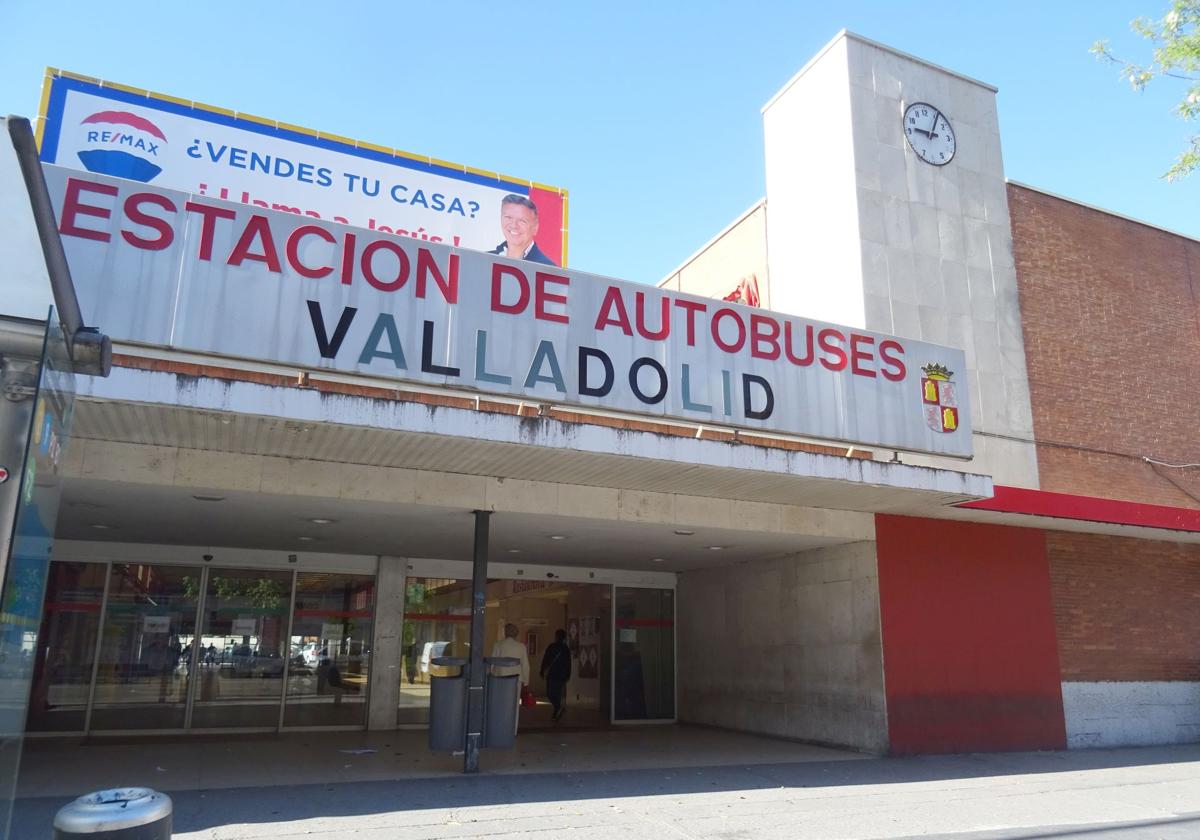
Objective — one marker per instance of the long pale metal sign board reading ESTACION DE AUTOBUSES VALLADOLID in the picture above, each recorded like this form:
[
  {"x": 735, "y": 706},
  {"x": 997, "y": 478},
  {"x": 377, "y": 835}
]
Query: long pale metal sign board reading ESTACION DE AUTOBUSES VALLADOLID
[{"x": 170, "y": 269}]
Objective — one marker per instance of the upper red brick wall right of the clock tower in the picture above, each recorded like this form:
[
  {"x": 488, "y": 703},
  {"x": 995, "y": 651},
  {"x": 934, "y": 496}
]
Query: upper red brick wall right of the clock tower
[{"x": 1112, "y": 317}]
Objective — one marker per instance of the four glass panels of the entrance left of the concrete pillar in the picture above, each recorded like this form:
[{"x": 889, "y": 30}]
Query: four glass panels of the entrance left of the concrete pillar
[{"x": 157, "y": 647}]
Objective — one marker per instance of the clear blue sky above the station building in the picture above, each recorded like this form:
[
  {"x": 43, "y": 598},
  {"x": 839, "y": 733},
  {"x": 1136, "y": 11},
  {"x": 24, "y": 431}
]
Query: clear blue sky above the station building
[{"x": 649, "y": 113}]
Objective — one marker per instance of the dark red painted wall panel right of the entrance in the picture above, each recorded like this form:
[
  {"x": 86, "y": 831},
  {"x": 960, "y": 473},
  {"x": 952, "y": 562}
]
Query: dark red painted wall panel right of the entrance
[{"x": 970, "y": 656}]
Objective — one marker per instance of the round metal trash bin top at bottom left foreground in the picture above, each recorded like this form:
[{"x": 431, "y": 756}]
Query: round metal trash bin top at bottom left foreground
[{"x": 119, "y": 814}]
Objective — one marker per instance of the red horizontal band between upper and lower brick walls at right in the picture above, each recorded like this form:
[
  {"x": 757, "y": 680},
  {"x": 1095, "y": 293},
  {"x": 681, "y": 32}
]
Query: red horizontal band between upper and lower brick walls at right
[{"x": 1088, "y": 509}]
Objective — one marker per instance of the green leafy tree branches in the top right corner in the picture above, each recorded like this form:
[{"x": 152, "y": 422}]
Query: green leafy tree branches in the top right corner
[{"x": 1177, "y": 40}]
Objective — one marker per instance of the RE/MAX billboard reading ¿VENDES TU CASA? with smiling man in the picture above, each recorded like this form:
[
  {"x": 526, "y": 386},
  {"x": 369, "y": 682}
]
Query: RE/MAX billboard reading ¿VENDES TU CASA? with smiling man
[{"x": 115, "y": 130}]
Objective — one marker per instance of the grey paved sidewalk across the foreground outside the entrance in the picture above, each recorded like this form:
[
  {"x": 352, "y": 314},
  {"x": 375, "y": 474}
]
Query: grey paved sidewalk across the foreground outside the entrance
[{"x": 1090, "y": 795}]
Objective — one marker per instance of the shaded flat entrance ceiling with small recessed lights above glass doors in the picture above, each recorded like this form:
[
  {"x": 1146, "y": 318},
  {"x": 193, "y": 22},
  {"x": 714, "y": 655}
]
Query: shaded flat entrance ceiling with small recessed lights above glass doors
[{"x": 133, "y": 513}]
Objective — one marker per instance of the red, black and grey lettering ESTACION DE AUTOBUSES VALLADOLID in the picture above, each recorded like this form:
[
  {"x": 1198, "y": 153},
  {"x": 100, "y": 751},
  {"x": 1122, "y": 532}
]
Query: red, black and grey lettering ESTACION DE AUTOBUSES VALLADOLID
[{"x": 149, "y": 221}]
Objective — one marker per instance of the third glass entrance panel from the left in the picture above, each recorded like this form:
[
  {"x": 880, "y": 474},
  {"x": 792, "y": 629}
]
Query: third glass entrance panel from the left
[{"x": 243, "y": 634}]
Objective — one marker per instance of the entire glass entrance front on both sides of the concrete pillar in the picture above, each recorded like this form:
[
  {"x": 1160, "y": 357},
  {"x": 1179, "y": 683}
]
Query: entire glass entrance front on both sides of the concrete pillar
[{"x": 158, "y": 647}]
